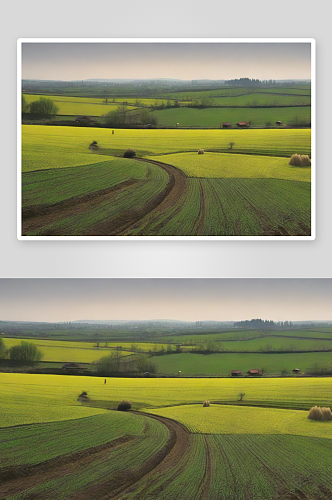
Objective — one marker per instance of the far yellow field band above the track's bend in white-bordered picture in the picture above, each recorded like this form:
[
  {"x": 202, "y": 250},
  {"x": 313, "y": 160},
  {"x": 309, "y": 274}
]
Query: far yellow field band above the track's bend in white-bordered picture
[{"x": 47, "y": 146}]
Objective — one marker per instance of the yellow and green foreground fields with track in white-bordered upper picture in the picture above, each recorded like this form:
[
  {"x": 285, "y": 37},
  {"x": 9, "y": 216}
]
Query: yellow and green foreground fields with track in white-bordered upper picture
[{"x": 250, "y": 190}]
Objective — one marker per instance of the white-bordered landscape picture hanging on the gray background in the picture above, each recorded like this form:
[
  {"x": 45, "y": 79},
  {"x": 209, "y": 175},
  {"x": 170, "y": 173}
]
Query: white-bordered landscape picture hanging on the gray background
[{"x": 166, "y": 139}]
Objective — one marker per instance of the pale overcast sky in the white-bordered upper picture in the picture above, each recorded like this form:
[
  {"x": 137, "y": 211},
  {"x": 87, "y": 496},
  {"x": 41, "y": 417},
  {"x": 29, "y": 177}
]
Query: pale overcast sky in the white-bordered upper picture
[{"x": 188, "y": 61}]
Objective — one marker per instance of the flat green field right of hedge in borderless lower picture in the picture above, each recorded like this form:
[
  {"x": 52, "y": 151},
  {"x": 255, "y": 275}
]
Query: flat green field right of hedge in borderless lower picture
[{"x": 222, "y": 364}]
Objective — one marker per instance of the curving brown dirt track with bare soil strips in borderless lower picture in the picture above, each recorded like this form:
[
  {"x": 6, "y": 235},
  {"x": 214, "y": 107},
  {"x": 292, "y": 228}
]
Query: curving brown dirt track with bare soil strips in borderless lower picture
[{"x": 15, "y": 480}]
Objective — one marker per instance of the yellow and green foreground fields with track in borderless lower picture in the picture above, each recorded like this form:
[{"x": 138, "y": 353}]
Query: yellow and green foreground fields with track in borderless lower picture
[{"x": 219, "y": 452}]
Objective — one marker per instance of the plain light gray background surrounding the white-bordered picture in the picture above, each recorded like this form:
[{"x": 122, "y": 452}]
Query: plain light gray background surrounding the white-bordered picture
[{"x": 198, "y": 19}]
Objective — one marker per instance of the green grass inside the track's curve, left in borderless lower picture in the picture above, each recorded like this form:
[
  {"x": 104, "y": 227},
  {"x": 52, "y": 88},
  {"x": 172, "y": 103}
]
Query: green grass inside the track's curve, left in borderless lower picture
[{"x": 90, "y": 474}]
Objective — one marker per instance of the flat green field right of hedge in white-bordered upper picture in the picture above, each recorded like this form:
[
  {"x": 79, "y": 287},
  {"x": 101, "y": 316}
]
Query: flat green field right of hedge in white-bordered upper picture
[{"x": 210, "y": 117}]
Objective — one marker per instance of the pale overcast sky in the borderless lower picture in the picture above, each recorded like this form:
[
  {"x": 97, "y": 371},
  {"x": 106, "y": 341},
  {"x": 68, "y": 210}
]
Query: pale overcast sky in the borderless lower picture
[{"x": 181, "y": 299}]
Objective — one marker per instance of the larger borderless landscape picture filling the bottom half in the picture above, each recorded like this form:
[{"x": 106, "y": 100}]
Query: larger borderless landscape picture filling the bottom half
[{"x": 148, "y": 389}]
